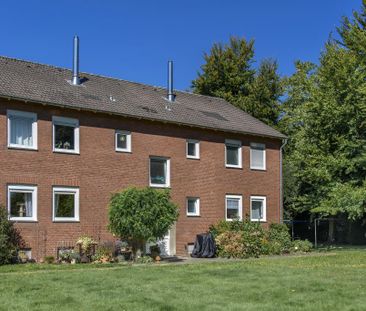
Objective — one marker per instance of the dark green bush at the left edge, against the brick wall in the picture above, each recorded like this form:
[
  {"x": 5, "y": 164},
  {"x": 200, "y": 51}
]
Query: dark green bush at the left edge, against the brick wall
[{"x": 10, "y": 239}]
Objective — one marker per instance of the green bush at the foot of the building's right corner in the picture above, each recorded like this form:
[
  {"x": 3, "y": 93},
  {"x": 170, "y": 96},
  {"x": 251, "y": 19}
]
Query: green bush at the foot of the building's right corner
[{"x": 279, "y": 239}]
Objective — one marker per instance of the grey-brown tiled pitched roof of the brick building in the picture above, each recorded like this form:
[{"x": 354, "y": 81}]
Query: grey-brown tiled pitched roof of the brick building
[{"x": 47, "y": 84}]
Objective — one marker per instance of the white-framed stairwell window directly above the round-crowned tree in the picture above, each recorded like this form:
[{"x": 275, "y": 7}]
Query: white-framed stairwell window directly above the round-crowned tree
[{"x": 159, "y": 172}]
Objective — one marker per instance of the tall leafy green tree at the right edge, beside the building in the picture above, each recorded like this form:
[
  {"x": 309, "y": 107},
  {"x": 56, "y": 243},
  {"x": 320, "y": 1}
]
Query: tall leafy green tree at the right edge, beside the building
[{"x": 325, "y": 113}]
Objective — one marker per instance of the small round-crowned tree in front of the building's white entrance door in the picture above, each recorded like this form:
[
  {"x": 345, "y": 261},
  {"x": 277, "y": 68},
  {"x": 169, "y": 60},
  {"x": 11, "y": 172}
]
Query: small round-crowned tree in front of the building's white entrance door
[{"x": 141, "y": 215}]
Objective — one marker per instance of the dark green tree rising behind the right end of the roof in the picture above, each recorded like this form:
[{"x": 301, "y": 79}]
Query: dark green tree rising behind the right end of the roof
[{"x": 228, "y": 73}]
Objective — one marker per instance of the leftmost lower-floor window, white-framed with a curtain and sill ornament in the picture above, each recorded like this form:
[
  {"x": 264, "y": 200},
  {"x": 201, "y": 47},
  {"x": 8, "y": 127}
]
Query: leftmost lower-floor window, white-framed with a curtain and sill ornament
[{"x": 22, "y": 202}]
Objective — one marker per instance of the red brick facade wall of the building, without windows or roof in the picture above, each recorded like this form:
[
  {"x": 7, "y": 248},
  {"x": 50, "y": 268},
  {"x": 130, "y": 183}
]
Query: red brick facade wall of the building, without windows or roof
[{"x": 99, "y": 171}]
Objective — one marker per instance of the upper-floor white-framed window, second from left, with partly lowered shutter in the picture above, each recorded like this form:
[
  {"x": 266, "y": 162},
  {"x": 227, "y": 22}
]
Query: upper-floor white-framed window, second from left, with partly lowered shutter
[{"x": 65, "y": 135}]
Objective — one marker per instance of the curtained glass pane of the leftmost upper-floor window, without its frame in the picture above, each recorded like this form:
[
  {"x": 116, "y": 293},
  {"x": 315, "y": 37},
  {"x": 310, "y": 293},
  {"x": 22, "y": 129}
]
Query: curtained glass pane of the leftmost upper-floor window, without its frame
[{"x": 21, "y": 131}]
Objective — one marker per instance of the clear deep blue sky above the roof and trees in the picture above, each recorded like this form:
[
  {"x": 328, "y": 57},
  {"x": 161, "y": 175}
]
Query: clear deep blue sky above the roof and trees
[{"x": 133, "y": 40}]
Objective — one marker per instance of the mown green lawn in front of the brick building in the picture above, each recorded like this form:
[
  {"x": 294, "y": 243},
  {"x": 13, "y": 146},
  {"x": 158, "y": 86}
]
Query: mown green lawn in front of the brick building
[{"x": 333, "y": 280}]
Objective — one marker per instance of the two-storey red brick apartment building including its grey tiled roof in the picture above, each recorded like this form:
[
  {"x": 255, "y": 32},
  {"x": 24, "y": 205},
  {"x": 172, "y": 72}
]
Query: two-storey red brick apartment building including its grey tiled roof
[{"x": 68, "y": 141}]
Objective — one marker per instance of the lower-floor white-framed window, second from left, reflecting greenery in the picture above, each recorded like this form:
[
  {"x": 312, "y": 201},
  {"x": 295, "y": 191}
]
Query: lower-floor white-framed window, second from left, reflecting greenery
[{"x": 65, "y": 204}]
